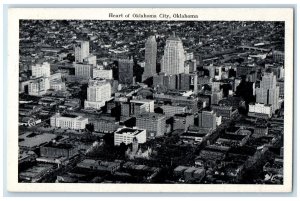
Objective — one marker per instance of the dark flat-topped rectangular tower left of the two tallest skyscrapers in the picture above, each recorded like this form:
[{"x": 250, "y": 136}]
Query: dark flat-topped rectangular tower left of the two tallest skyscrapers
[{"x": 126, "y": 71}]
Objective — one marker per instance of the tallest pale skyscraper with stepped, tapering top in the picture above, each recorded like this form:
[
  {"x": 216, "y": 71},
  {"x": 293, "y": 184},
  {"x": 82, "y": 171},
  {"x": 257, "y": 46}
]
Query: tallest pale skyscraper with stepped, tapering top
[{"x": 173, "y": 59}]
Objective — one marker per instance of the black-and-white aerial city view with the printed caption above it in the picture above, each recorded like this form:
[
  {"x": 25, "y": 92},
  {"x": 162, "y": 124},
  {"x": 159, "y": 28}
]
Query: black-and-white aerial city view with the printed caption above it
[{"x": 152, "y": 101}]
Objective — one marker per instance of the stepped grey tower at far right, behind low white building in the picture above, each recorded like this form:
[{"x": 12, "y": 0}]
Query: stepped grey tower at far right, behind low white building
[{"x": 268, "y": 92}]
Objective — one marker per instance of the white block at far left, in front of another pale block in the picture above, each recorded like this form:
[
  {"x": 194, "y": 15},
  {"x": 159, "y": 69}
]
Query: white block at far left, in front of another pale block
[{"x": 38, "y": 86}]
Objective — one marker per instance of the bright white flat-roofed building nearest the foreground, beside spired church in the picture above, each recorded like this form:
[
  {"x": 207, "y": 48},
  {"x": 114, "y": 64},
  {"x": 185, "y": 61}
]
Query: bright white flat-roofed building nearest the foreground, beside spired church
[{"x": 126, "y": 135}]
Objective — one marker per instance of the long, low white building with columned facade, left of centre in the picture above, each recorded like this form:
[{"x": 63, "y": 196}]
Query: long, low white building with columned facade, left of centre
[{"x": 68, "y": 121}]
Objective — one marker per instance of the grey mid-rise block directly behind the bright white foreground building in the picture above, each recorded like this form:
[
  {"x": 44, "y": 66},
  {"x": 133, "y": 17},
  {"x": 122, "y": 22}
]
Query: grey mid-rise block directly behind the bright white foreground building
[{"x": 155, "y": 124}]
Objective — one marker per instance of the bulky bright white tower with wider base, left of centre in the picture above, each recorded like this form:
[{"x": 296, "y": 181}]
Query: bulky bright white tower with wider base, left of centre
[{"x": 98, "y": 92}]
